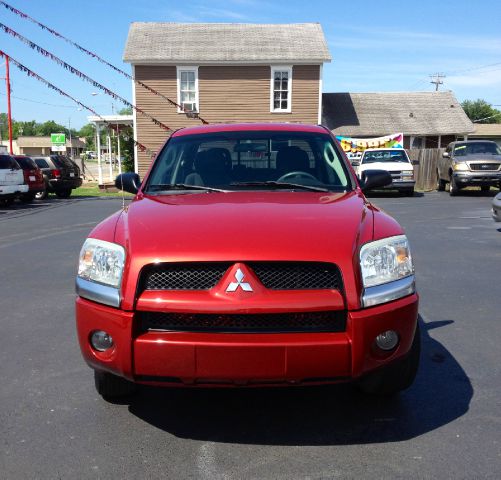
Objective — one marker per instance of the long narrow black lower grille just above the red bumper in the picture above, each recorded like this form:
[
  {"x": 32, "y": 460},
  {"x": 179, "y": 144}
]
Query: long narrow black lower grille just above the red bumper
[{"x": 330, "y": 321}]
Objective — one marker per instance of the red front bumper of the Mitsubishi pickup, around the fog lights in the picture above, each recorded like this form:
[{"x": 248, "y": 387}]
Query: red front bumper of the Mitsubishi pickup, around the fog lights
[{"x": 230, "y": 359}]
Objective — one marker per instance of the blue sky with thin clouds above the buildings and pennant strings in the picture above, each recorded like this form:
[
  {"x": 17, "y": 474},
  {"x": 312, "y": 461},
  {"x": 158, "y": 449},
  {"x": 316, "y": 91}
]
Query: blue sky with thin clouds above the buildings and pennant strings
[{"x": 376, "y": 46}]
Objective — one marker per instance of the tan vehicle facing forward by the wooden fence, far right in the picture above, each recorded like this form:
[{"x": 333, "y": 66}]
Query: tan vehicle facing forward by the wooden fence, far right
[{"x": 470, "y": 163}]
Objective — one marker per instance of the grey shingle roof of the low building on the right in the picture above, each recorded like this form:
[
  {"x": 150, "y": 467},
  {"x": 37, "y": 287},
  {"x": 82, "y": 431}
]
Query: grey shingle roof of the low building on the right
[{"x": 377, "y": 114}]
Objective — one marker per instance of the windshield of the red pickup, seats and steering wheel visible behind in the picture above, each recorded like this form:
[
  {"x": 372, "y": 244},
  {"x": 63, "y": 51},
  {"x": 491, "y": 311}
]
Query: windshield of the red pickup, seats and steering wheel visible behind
[{"x": 250, "y": 160}]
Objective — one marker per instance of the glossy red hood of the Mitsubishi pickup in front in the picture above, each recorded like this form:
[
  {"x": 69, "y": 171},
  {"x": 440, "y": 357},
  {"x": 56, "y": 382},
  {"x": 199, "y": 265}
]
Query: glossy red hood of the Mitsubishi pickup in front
[{"x": 239, "y": 226}]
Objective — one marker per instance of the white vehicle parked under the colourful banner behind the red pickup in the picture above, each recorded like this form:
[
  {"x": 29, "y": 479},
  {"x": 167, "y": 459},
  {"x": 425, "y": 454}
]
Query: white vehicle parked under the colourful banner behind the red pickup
[{"x": 393, "y": 160}]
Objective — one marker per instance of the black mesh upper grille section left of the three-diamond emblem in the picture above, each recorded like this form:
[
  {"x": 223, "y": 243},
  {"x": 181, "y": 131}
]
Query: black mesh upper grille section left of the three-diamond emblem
[{"x": 183, "y": 276}]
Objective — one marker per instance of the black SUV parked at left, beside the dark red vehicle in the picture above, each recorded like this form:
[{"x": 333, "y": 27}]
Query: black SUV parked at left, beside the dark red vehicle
[{"x": 61, "y": 175}]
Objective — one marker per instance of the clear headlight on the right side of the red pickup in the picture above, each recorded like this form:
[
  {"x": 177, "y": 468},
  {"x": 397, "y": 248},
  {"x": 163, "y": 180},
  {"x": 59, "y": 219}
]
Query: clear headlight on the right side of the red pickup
[{"x": 385, "y": 261}]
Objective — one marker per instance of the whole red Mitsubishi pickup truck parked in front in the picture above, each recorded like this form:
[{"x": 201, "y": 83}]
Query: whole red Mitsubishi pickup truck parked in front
[{"x": 249, "y": 257}]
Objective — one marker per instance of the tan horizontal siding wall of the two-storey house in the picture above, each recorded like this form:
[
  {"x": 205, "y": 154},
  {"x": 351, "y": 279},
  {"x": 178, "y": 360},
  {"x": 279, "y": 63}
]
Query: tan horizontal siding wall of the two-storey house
[{"x": 226, "y": 94}]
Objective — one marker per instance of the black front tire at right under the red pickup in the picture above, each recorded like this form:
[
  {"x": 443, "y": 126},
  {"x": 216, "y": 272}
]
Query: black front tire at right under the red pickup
[{"x": 395, "y": 377}]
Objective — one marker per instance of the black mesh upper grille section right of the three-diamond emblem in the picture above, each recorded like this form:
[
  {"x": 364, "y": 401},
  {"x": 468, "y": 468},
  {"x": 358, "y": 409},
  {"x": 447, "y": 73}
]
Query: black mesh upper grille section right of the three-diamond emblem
[{"x": 298, "y": 275}]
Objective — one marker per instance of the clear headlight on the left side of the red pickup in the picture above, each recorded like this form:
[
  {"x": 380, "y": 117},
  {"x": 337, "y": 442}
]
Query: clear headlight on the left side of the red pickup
[{"x": 101, "y": 262}]
